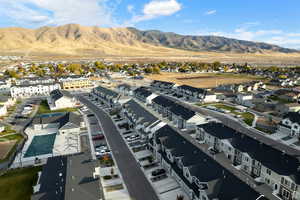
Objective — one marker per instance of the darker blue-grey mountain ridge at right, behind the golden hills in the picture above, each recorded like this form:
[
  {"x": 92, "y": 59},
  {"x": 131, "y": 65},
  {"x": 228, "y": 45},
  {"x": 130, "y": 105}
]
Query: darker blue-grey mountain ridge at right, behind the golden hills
[{"x": 201, "y": 43}]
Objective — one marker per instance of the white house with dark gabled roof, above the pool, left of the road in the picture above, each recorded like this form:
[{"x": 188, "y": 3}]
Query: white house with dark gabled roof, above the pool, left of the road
[{"x": 60, "y": 100}]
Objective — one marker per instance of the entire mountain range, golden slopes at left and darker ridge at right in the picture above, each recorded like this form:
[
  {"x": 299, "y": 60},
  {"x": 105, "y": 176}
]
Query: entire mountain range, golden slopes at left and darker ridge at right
[{"x": 74, "y": 39}]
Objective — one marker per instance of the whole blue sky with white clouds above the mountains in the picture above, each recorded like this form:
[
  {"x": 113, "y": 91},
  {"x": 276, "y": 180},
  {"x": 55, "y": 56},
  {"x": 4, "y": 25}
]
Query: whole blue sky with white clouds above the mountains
[{"x": 272, "y": 21}]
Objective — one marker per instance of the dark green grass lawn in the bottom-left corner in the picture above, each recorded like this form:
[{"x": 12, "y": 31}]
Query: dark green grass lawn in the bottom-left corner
[{"x": 17, "y": 184}]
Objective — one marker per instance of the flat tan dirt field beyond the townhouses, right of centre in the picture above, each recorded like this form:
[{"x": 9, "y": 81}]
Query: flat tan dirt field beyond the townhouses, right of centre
[{"x": 205, "y": 80}]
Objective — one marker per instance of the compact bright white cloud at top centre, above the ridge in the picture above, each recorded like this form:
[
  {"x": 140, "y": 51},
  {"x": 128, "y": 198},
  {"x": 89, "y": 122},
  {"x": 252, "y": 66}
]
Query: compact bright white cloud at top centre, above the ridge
[{"x": 155, "y": 9}]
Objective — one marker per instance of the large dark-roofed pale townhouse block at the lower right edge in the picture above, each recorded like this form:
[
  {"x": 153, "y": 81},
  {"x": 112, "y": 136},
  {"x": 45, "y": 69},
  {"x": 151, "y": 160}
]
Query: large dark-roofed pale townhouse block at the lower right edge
[{"x": 263, "y": 163}]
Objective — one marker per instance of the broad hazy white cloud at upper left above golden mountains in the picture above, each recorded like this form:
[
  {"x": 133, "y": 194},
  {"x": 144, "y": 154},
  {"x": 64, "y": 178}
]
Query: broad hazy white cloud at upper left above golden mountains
[{"x": 58, "y": 12}]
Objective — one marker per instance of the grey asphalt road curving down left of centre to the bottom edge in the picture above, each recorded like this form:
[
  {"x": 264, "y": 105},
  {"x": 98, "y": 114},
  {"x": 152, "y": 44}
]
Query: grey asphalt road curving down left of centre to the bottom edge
[{"x": 138, "y": 186}]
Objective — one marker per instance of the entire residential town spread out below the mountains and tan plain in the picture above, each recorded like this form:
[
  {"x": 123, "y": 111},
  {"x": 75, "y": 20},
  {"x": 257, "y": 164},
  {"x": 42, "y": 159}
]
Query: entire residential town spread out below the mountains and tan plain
[{"x": 152, "y": 131}]
